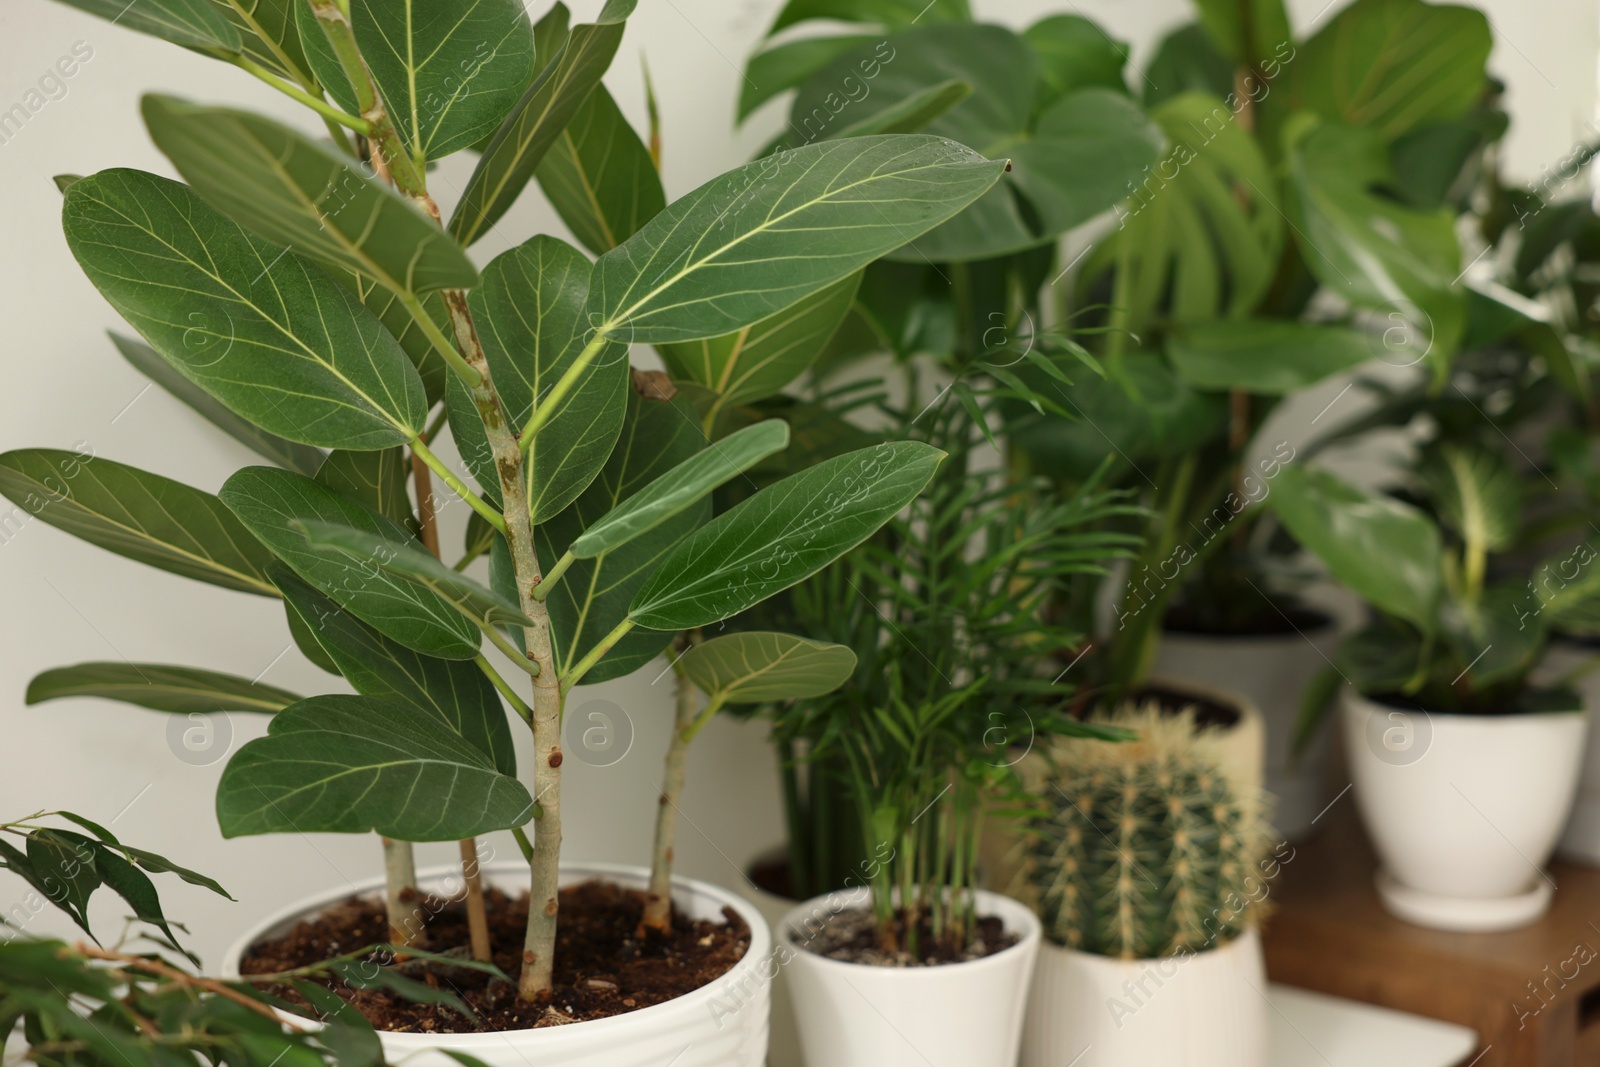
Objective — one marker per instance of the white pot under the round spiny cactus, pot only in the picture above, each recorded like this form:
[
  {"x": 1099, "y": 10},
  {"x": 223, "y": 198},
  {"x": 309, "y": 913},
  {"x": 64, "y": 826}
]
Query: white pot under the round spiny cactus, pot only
[{"x": 1206, "y": 1010}]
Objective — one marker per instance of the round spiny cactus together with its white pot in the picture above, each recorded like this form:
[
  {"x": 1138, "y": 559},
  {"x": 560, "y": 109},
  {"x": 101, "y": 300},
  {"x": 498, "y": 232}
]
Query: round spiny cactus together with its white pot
[{"x": 1150, "y": 871}]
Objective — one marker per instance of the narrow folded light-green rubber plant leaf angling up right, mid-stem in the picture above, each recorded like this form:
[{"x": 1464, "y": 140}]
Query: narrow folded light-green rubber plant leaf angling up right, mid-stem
[{"x": 682, "y": 487}]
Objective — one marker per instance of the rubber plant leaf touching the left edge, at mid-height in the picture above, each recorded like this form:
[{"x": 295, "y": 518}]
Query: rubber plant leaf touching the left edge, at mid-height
[{"x": 137, "y": 514}]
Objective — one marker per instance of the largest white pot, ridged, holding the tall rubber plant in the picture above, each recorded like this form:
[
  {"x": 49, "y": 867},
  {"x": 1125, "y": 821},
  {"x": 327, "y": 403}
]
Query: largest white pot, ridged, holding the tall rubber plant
[{"x": 722, "y": 1025}]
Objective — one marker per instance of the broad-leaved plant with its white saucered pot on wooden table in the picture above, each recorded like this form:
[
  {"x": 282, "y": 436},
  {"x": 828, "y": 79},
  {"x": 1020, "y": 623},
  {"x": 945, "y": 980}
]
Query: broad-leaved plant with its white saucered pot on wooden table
[{"x": 1439, "y": 714}]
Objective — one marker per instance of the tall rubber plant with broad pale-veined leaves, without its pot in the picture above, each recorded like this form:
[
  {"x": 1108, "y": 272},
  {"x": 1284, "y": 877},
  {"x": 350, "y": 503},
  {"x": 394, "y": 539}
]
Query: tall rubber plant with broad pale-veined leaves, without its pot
[{"x": 306, "y": 297}]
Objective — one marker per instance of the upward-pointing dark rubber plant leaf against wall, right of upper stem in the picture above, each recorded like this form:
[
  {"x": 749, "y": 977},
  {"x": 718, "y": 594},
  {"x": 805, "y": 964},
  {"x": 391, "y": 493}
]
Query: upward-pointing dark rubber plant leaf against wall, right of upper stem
[{"x": 599, "y": 177}]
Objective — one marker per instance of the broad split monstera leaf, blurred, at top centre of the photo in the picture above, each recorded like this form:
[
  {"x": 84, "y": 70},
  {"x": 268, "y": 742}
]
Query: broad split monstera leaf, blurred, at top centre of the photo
[{"x": 1073, "y": 164}]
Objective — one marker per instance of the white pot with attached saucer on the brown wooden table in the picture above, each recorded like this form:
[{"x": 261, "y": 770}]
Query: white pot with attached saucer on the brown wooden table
[{"x": 1463, "y": 810}]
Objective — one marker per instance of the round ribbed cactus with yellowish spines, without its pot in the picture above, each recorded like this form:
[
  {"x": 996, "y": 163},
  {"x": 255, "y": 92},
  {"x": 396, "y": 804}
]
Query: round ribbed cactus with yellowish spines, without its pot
[{"x": 1146, "y": 849}]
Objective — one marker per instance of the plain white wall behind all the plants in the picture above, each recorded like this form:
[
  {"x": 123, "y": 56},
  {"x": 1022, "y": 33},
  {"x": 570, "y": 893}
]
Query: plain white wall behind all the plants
[{"x": 66, "y": 388}]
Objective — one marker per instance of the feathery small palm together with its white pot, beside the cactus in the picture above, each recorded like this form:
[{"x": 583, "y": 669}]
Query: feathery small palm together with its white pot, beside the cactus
[{"x": 943, "y": 610}]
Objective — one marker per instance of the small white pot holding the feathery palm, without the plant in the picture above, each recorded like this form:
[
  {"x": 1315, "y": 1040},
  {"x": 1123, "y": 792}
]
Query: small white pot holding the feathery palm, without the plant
[{"x": 959, "y": 1015}]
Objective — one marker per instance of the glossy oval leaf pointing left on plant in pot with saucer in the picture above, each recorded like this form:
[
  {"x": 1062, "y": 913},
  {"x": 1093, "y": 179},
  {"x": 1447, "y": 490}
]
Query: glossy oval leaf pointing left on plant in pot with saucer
[{"x": 1382, "y": 549}]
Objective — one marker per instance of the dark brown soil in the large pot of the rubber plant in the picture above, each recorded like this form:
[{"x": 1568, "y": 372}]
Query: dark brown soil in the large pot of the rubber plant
[{"x": 601, "y": 967}]
